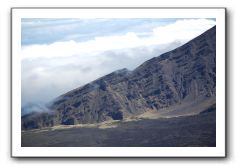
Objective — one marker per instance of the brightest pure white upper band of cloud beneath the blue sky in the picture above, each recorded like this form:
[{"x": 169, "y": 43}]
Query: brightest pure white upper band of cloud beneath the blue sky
[{"x": 181, "y": 30}]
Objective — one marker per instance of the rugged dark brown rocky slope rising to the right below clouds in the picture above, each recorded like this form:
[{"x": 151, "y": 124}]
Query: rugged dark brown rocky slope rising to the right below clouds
[{"x": 185, "y": 74}]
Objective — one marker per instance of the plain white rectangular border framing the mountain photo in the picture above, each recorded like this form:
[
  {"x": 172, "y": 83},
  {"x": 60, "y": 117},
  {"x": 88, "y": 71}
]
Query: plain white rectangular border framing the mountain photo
[{"x": 116, "y": 12}]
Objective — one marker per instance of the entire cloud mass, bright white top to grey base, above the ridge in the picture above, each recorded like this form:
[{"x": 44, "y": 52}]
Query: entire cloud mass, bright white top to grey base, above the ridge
[{"x": 50, "y": 70}]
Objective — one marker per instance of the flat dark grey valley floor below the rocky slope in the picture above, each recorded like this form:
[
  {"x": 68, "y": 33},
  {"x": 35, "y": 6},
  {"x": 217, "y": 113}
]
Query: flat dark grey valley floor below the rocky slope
[{"x": 190, "y": 131}]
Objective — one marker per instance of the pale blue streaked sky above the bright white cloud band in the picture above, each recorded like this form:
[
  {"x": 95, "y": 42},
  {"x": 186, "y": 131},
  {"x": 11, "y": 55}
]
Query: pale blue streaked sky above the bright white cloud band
[{"x": 46, "y": 31}]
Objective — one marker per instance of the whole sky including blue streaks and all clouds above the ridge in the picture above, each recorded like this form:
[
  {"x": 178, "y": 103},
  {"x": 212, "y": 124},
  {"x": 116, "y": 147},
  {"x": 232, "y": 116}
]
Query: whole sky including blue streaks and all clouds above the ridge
[{"x": 58, "y": 55}]
